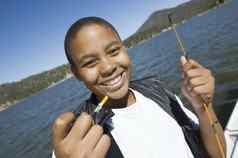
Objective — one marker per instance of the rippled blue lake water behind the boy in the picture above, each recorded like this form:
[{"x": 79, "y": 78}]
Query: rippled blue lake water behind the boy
[{"x": 211, "y": 39}]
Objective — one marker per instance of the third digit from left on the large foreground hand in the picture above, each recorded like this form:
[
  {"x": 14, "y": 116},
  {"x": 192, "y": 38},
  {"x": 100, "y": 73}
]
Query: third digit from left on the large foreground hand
[{"x": 93, "y": 136}]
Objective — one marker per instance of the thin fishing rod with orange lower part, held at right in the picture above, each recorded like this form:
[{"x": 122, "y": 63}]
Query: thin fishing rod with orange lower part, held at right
[{"x": 205, "y": 103}]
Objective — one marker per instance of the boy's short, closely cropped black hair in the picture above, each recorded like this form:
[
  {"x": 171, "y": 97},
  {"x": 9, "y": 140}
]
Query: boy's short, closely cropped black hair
[{"x": 79, "y": 24}]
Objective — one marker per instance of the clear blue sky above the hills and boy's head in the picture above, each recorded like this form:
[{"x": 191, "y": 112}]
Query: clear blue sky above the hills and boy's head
[{"x": 32, "y": 31}]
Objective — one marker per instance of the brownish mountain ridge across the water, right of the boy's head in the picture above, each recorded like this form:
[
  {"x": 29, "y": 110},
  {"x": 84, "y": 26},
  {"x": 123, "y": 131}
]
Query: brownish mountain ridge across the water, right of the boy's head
[{"x": 159, "y": 21}]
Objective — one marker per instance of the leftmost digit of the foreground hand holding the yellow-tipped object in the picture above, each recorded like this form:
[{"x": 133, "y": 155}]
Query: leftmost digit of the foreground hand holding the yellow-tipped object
[{"x": 61, "y": 126}]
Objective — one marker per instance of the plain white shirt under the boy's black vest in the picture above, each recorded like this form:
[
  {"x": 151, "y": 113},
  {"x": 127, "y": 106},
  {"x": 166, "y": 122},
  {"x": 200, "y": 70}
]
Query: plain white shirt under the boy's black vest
[{"x": 145, "y": 130}]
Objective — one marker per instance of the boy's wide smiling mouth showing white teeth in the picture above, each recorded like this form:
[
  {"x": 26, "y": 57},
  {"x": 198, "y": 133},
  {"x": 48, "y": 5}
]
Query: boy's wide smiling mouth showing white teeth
[{"x": 115, "y": 82}]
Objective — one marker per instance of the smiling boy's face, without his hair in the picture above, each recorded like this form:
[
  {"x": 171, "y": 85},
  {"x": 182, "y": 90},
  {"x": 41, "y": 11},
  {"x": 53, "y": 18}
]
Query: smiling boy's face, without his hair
[{"x": 102, "y": 62}]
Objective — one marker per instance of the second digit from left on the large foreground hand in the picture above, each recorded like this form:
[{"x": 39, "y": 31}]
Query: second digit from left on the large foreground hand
[{"x": 80, "y": 127}]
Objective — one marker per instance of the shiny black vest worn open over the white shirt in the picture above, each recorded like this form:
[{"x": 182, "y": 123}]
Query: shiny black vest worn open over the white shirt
[{"x": 152, "y": 88}]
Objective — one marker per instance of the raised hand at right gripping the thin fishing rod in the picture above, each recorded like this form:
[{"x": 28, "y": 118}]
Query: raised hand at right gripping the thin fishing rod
[{"x": 197, "y": 82}]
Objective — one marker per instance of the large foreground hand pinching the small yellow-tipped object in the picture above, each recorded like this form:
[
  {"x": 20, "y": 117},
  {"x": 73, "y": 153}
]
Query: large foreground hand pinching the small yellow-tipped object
[{"x": 82, "y": 140}]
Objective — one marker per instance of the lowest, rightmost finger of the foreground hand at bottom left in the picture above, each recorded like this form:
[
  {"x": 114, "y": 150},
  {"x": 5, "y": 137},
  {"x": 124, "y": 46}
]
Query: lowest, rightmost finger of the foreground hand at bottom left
[{"x": 102, "y": 146}]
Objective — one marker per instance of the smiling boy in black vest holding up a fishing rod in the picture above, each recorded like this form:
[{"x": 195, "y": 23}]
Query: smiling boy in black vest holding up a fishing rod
[{"x": 136, "y": 121}]
